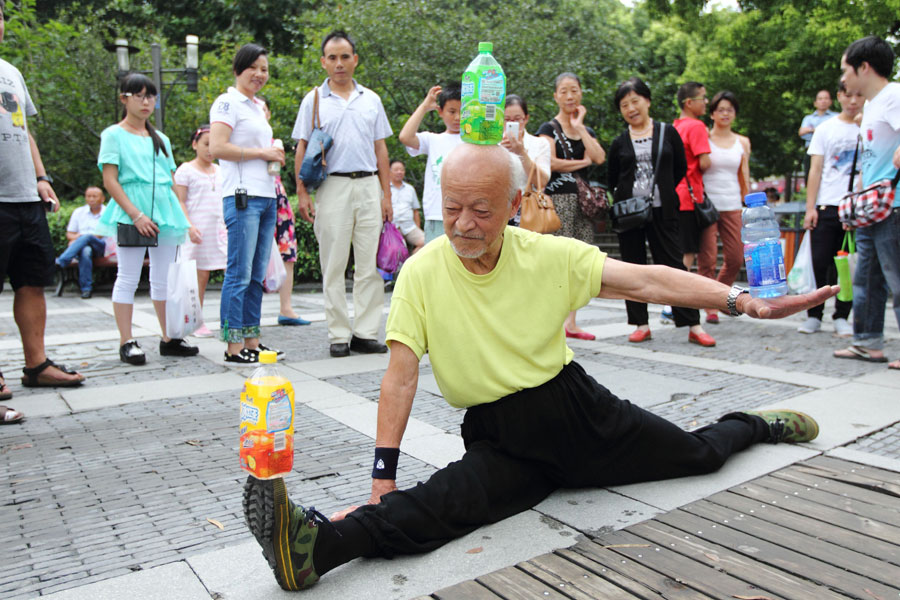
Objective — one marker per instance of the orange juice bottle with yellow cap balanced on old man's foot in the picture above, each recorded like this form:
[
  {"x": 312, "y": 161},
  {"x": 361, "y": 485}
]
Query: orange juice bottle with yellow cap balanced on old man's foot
[{"x": 267, "y": 421}]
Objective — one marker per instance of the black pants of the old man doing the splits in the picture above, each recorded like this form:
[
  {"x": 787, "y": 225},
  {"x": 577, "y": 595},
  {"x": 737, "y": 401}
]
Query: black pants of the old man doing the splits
[{"x": 568, "y": 432}]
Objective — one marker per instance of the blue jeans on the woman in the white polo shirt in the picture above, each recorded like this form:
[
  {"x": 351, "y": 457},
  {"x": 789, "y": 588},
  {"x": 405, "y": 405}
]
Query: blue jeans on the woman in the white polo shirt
[{"x": 251, "y": 232}]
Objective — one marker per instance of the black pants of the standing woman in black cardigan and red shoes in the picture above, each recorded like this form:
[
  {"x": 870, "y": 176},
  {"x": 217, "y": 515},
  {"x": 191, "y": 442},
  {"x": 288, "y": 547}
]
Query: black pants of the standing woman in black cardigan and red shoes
[{"x": 665, "y": 248}]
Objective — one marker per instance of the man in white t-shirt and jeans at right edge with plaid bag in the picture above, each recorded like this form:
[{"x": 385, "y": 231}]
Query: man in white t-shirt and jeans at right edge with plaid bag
[{"x": 867, "y": 64}]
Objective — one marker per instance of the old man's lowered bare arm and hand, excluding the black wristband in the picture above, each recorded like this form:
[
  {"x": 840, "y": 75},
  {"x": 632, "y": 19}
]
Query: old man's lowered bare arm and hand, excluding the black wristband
[{"x": 398, "y": 388}]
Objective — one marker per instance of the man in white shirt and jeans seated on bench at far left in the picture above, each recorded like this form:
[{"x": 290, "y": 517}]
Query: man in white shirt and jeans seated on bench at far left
[{"x": 83, "y": 244}]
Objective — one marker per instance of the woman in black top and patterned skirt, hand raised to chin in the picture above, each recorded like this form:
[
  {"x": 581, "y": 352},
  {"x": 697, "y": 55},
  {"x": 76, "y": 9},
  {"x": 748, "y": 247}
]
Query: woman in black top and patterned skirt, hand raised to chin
[{"x": 573, "y": 148}]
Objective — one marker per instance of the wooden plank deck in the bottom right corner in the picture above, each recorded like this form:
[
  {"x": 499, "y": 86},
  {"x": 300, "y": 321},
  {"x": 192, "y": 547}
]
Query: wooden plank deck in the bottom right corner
[{"x": 817, "y": 530}]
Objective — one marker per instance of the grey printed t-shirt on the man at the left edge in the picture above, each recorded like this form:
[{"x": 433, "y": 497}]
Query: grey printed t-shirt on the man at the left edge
[{"x": 17, "y": 176}]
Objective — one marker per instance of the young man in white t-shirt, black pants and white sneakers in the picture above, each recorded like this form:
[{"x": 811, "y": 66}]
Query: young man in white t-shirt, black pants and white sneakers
[{"x": 832, "y": 151}]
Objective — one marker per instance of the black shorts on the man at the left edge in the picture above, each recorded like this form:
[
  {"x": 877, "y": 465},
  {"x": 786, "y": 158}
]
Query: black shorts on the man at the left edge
[{"x": 26, "y": 249}]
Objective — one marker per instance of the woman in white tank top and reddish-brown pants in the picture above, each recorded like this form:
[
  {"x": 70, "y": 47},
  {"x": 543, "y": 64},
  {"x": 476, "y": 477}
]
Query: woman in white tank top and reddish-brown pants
[{"x": 726, "y": 183}]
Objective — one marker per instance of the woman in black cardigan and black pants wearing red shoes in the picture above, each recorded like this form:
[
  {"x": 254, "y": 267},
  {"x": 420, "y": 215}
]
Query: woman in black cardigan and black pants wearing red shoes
[{"x": 645, "y": 175}]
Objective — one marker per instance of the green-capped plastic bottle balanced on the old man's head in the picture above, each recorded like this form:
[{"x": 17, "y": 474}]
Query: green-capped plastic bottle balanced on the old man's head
[{"x": 483, "y": 94}]
